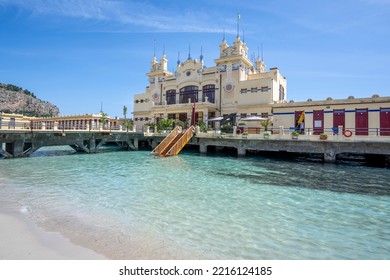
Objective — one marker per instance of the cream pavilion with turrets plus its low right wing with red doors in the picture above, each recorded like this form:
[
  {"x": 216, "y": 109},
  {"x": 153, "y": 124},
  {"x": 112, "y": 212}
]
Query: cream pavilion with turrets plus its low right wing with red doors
[{"x": 236, "y": 85}]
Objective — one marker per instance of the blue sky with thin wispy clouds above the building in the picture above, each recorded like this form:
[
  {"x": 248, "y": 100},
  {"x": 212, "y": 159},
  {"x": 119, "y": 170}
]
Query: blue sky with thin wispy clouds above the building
[{"x": 78, "y": 54}]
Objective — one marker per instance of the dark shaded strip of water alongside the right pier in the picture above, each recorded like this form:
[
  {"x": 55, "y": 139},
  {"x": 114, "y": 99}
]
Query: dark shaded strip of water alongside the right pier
[{"x": 345, "y": 176}]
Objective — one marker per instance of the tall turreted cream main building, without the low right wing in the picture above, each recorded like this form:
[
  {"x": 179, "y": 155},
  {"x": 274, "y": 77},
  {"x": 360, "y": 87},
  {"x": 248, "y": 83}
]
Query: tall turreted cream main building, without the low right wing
[{"x": 234, "y": 85}]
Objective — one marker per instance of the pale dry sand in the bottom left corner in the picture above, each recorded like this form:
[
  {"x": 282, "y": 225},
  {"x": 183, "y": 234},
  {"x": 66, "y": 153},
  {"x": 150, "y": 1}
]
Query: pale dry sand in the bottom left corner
[{"x": 22, "y": 239}]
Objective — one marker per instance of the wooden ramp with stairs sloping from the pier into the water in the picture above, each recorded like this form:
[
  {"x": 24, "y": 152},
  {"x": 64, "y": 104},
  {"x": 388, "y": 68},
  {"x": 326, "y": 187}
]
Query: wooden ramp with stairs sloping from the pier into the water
[{"x": 174, "y": 142}]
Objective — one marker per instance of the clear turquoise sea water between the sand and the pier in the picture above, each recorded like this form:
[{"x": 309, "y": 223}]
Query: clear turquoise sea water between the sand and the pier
[{"x": 134, "y": 205}]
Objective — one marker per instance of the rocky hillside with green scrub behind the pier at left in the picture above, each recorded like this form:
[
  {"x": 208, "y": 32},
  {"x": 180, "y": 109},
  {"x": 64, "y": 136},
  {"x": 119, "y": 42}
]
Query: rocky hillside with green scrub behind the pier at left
[{"x": 16, "y": 100}]
